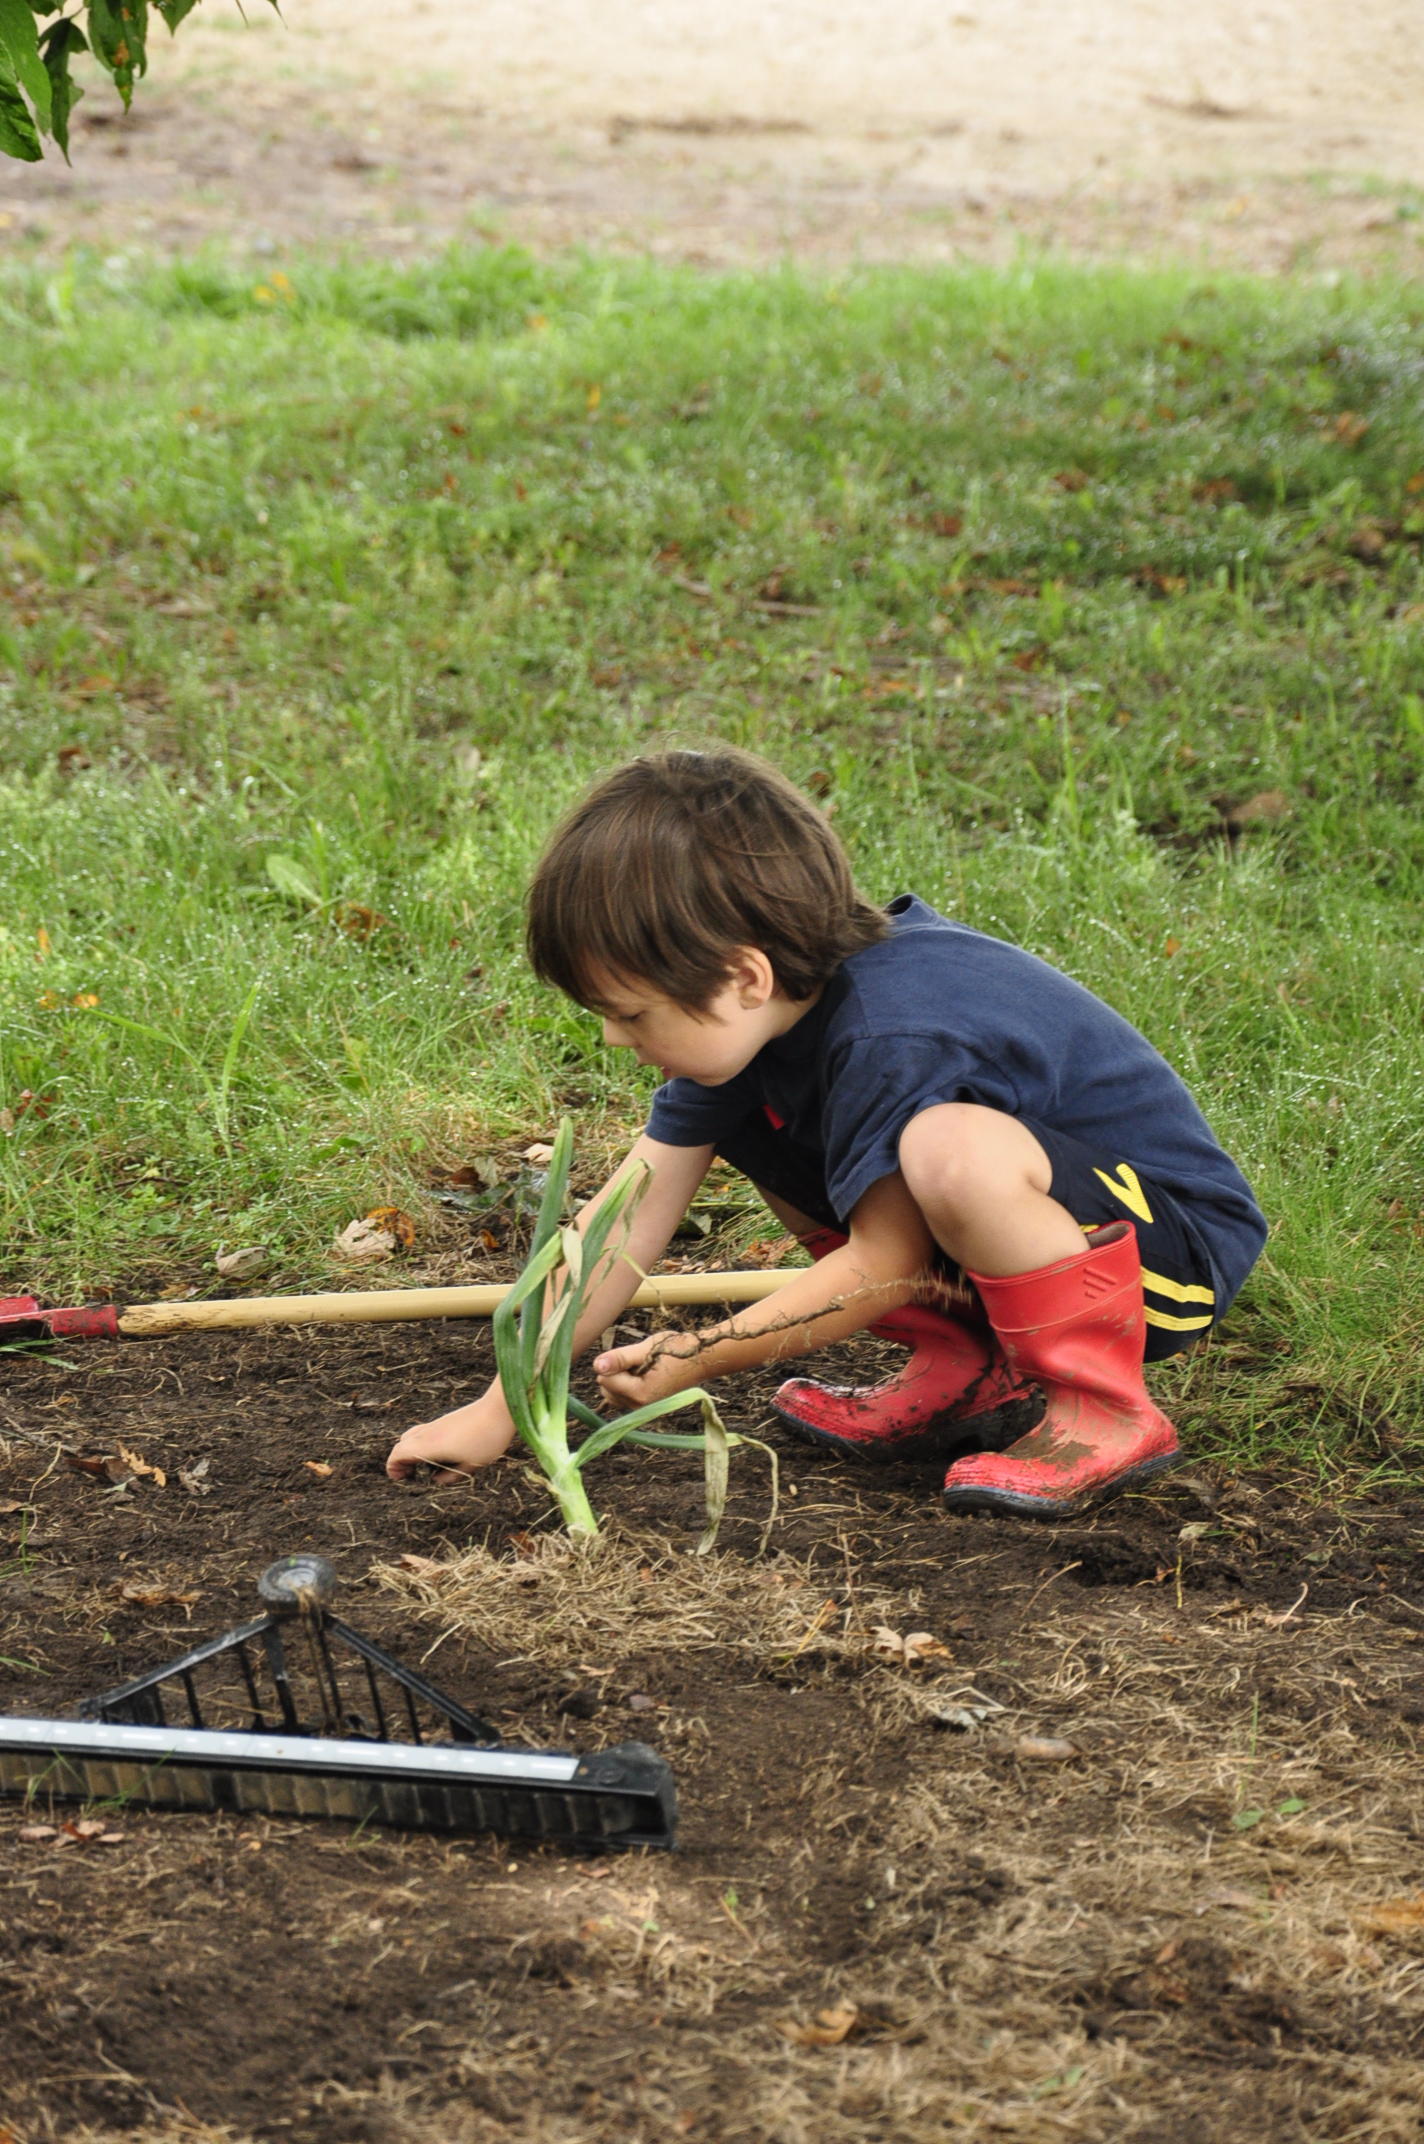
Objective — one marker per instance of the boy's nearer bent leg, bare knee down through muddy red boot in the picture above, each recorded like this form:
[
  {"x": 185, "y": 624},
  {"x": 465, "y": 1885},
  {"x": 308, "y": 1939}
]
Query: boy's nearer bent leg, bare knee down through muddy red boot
[{"x": 1067, "y": 1309}]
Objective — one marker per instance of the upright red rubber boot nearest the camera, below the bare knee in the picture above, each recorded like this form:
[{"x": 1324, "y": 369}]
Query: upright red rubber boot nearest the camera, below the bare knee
[{"x": 1078, "y": 1330}]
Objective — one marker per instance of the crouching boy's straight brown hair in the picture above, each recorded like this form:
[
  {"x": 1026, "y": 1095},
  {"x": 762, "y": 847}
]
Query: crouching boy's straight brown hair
[{"x": 677, "y": 861}]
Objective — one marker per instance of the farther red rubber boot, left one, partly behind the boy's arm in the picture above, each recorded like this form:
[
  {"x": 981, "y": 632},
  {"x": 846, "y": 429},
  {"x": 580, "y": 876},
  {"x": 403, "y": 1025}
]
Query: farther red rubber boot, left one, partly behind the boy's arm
[{"x": 955, "y": 1393}]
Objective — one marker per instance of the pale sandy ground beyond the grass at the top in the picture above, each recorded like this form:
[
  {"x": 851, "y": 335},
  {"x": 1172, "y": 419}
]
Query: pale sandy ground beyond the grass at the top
[{"x": 1262, "y": 132}]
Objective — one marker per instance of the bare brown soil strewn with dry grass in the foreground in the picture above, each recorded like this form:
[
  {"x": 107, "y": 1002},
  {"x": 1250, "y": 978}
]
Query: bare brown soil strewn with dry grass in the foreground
[{"x": 1204, "y": 1922}]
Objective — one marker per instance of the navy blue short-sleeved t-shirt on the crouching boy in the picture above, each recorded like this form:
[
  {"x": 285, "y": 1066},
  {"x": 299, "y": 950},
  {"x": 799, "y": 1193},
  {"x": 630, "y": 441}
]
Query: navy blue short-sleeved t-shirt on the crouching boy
[{"x": 938, "y": 1013}]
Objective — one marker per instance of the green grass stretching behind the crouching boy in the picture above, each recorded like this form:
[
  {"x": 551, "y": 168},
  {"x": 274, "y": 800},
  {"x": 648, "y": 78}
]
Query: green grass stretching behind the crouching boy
[{"x": 370, "y": 569}]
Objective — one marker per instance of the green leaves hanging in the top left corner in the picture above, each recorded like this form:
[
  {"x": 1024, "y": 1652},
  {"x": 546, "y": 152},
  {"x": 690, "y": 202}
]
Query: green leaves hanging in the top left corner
[{"x": 38, "y": 44}]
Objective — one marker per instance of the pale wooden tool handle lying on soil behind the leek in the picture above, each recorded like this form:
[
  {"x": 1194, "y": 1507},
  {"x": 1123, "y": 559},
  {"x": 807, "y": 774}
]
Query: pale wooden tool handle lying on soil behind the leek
[{"x": 383, "y": 1307}]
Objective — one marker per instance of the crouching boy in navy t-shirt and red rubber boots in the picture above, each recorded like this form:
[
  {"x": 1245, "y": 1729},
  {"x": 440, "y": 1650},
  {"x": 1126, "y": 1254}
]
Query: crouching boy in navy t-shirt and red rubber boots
[{"x": 983, "y": 1159}]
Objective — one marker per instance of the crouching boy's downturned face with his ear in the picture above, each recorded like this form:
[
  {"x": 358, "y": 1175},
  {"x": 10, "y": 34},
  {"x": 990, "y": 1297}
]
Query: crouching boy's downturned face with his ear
[{"x": 711, "y": 1045}]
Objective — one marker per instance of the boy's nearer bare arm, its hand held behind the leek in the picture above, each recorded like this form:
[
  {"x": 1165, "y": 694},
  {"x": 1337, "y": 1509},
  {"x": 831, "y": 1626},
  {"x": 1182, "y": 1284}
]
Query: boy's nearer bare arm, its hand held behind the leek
[{"x": 880, "y": 1268}]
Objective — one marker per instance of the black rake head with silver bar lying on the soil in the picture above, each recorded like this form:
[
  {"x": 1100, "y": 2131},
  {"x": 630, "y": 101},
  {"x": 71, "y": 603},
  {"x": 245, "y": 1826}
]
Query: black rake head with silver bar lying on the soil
[{"x": 381, "y": 1744}]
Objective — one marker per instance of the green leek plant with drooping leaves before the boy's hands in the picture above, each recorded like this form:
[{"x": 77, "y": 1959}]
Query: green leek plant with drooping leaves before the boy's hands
[{"x": 535, "y": 1330}]
